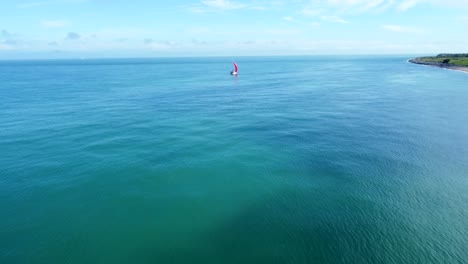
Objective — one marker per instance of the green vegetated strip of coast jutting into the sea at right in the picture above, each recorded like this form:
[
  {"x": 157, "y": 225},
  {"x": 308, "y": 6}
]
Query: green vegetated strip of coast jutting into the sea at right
[{"x": 457, "y": 61}]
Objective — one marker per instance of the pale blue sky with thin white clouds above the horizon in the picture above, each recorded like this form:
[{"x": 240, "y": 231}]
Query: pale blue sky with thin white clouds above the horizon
[{"x": 117, "y": 28}]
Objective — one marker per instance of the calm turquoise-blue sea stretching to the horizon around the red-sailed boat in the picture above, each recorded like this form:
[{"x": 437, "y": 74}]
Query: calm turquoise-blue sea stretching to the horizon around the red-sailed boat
[{"x": 297, "y": 160}]
